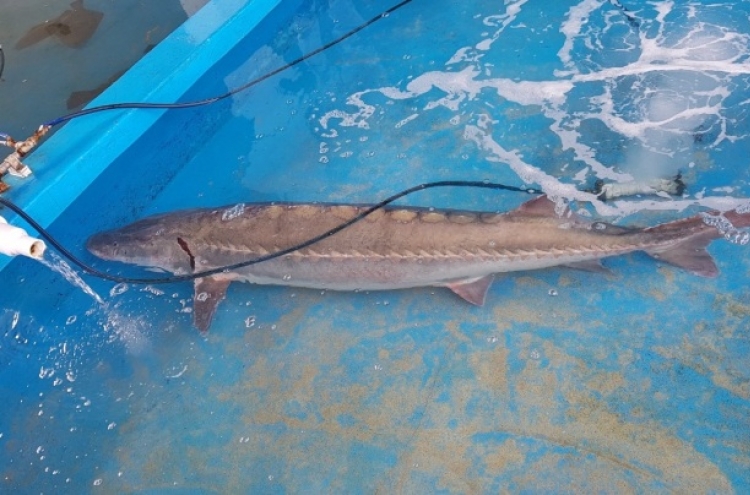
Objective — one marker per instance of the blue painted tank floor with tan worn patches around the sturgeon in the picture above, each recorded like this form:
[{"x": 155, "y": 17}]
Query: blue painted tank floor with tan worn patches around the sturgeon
[{"x": 565, "y": 381}]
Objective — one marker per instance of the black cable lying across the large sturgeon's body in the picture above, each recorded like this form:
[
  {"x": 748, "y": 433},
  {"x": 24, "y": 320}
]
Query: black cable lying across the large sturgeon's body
[{"x": 181, "y": 278}]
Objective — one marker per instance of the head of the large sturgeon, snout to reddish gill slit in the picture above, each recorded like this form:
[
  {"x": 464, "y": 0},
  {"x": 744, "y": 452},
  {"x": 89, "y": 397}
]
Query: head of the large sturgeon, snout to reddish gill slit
[{"x": 148, "y": 242}]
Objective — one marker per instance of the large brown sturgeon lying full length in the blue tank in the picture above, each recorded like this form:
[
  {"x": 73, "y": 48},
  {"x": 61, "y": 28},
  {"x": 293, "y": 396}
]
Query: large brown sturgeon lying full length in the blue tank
[{"x": 393, "y": 247}]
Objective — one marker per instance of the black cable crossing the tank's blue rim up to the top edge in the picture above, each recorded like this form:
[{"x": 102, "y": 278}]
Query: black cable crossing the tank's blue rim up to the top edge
[{"x": 214, "y": 99}]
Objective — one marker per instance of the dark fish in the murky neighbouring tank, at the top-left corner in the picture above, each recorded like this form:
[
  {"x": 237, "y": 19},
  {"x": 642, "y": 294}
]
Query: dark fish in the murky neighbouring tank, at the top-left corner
[{"x": 73, "y": 27}]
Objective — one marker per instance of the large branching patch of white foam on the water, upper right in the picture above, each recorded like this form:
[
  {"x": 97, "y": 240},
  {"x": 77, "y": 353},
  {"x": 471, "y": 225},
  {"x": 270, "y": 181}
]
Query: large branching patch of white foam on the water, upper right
[{"x": 667, "y": 93}]
